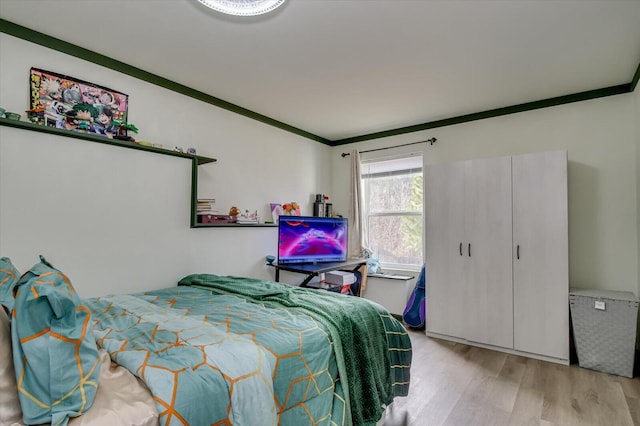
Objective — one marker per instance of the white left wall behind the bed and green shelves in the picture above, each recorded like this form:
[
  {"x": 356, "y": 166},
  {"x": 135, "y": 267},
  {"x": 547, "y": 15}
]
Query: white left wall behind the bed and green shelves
[{"x": 117, "y": 220}]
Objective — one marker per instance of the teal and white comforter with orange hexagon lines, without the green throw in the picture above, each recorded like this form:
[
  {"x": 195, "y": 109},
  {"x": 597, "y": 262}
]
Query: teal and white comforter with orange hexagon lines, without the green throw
[{"x": 167, "y": 337}]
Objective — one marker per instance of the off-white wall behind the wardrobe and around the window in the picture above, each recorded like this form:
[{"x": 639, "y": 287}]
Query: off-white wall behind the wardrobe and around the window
[{"x": 603, "y": 180}]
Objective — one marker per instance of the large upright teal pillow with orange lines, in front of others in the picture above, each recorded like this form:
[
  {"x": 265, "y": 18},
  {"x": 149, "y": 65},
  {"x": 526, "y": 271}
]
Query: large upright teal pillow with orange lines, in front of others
[{"x": 54, "y": 352}]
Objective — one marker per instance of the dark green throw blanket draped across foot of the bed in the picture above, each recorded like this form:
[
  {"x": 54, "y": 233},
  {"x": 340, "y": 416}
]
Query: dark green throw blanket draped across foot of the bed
[{"x": 373, "y": 361}]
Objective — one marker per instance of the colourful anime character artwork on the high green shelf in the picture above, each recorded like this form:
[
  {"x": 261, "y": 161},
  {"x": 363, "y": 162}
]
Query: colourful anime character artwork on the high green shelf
[{"x": 72, "y": 104}]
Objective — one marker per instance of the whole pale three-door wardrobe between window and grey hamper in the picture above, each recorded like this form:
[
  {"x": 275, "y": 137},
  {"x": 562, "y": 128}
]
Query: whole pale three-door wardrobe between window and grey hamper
[{"x": 497, "y": 254}]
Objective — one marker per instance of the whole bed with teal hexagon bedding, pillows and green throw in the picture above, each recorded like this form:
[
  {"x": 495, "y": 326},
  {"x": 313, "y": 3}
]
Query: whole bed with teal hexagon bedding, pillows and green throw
[{"x": 219, "y": 350}]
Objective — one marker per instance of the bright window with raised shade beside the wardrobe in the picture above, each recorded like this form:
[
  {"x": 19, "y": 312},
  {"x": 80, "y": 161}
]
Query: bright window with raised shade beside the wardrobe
[{"x": 393, "y": 210}]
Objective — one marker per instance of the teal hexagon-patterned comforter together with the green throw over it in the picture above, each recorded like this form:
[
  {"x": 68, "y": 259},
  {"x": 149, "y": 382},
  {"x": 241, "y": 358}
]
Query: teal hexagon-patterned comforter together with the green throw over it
[{"x": 226, "y": 350}]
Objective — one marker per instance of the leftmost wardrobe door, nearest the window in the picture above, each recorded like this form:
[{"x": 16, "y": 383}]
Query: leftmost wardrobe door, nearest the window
[{"x": 446, "y": 291}]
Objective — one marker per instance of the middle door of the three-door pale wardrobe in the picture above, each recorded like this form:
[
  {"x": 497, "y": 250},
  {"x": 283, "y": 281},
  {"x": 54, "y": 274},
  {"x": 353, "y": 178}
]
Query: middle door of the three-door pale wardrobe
[{"x": 488, "y": 233}]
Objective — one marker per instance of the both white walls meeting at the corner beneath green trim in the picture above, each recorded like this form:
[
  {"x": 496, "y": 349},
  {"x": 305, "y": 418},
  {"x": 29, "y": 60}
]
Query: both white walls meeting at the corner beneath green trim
[{"x": 117, "y": 220}]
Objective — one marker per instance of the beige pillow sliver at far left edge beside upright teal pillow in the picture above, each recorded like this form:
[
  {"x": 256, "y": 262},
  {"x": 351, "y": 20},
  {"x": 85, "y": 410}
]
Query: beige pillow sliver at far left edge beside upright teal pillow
[{"x": 10, "y": 411}]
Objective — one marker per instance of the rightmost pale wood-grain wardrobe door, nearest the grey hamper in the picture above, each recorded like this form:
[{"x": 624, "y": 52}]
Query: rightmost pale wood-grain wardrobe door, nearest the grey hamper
[{"x": 540, "y": 249}]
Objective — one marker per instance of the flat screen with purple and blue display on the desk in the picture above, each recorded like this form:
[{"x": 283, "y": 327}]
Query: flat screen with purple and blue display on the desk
[{"x": 309, "y": 239}]
